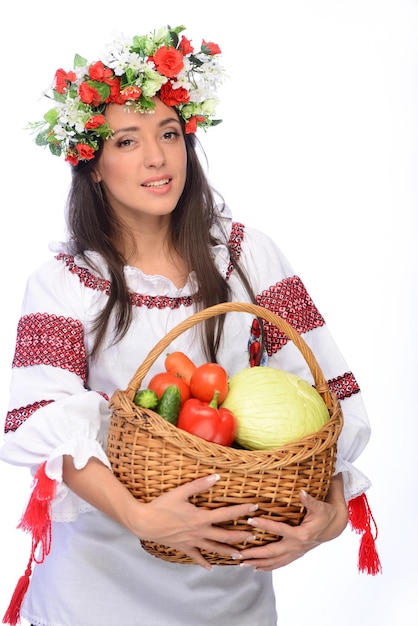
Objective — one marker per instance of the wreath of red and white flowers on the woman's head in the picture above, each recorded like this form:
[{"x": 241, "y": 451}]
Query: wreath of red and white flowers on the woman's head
[{"x": 131, "y": 74}]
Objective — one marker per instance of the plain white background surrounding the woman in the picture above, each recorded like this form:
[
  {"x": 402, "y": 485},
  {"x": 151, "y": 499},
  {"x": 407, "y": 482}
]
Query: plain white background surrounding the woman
[{"x": 319, "y": 148}]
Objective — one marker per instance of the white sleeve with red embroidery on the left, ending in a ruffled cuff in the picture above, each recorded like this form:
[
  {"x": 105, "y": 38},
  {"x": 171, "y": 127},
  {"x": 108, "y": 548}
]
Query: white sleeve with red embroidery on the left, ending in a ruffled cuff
[{"x": 52, "y": 412}]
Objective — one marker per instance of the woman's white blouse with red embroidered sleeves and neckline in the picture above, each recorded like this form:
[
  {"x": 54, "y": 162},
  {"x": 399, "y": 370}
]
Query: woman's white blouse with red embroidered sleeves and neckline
[{"x": 96, "y": 572}]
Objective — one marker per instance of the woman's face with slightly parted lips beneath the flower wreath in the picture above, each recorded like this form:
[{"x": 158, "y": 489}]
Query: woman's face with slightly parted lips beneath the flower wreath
[{"x": 142, "y": 168}]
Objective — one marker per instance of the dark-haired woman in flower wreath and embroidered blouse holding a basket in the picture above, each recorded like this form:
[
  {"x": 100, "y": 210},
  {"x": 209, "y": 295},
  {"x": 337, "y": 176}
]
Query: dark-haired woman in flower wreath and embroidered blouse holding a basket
[{"x": 147, "y": 247}]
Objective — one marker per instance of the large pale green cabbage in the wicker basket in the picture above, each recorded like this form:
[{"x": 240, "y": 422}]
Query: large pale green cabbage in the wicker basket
[{"x": 273, "y": 407}]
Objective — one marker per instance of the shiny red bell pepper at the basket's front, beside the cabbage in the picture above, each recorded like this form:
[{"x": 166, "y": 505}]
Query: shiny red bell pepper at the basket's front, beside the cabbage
[{"x": 205, "y": 421}]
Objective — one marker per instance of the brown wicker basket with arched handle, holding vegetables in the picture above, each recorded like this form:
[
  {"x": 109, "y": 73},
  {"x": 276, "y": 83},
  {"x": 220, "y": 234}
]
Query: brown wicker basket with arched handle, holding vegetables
[{"x": 151, "y": 456}]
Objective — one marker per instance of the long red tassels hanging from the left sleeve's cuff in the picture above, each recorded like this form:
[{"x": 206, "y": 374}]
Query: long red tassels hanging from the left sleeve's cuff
[{"x": 36, "y": 520}]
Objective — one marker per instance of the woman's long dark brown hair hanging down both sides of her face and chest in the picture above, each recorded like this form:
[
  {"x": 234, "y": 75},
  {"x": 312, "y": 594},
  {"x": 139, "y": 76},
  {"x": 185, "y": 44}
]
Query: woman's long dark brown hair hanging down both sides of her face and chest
[{"x": 93, "y": 226}]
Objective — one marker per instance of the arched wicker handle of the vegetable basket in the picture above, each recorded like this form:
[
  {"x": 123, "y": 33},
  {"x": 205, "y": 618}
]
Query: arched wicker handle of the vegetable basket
[{"x": 321, "y": 384}]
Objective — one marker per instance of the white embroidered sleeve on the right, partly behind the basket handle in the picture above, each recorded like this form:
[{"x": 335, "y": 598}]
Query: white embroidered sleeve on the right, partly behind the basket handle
[{"x": 278, "y": 288}]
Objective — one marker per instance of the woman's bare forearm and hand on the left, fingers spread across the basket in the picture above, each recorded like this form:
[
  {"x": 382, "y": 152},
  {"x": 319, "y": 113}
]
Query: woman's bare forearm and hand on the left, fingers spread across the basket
[{"x": 170, "y": 519}]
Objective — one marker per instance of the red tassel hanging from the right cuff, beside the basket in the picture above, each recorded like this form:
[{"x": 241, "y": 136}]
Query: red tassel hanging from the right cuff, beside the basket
[{"x": 361, "y": 520}]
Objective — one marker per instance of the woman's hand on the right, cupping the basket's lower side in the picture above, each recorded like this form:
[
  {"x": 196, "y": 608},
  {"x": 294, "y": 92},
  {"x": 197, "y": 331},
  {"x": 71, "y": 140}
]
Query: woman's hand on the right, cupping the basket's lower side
[{"x": 323, "y": 521}]
